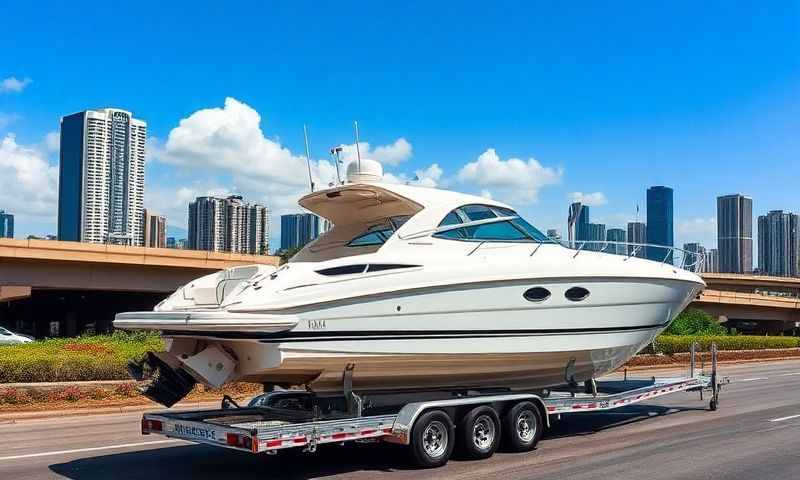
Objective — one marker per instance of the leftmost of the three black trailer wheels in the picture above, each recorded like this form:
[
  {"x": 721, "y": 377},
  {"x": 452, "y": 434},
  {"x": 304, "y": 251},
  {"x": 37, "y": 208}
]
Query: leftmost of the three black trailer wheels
[{"x": 426, "y": 450}]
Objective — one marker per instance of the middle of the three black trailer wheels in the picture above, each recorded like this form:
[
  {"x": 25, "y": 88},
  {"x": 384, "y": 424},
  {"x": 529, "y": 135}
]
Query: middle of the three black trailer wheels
[{"x": 479, "y": 433}]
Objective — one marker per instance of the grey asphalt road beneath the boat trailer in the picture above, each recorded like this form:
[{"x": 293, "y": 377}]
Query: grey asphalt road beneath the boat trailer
[{"x": 755, "y": 434}]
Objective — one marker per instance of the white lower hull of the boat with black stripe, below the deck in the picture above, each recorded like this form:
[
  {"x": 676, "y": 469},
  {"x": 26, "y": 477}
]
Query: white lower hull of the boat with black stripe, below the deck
[{"x": 495, "y": 339}]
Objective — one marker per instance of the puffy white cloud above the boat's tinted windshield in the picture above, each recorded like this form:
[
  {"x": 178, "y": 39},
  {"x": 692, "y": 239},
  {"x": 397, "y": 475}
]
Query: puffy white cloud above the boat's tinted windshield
[{"x": 514, "y": 180}]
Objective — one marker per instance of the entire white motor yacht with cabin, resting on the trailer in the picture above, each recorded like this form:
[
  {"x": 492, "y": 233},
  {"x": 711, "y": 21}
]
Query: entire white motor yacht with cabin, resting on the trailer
[{"x": 413, "y": 288}]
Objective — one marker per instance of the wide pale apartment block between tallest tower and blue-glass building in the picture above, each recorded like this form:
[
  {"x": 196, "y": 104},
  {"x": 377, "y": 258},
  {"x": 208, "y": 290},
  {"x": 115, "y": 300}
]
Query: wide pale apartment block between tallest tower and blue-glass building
[{"x": 228, "y": 225}]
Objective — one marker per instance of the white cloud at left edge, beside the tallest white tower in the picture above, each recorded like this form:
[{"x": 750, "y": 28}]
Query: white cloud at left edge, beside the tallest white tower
[{"x": 28, "y": 184}]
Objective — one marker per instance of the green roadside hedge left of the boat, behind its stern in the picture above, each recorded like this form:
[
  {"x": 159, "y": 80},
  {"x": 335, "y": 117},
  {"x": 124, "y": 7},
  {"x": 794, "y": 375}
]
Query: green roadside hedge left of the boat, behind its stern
[{"x": 97, "y": 357}]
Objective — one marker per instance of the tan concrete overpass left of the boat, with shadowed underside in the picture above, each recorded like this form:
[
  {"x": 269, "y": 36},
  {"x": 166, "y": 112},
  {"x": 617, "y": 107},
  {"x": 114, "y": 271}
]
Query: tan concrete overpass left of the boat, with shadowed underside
[{"x": 51, "y": 288}]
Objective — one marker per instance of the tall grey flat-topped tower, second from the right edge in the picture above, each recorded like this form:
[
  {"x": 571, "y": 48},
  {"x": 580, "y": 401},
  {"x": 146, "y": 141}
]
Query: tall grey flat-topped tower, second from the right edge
[{"x": 735, "y": 233}]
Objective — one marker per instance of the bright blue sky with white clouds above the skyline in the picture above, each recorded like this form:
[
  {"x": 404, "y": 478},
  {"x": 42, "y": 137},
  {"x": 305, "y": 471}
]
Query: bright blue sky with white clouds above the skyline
[{"x": 607, "y": 99}]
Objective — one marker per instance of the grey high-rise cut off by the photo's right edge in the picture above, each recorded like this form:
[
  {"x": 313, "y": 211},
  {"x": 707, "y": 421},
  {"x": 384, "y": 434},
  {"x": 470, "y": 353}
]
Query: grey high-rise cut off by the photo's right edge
[{"x": 779, "y": 244}]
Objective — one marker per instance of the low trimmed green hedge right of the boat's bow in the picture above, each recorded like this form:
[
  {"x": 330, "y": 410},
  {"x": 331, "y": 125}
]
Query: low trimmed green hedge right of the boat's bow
[{"x": 669, "y": 344}]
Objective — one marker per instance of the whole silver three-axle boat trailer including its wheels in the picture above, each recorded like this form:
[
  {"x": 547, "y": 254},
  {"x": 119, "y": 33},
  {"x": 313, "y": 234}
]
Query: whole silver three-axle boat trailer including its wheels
[{"x": 285, "y": 419}]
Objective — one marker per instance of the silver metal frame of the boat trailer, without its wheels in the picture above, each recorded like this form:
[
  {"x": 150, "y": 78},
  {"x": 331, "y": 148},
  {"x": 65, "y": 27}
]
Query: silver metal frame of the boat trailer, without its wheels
[{"x": 270, "y": 423}]
